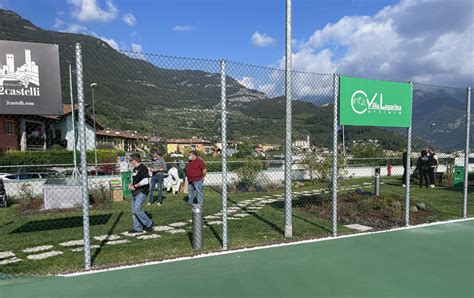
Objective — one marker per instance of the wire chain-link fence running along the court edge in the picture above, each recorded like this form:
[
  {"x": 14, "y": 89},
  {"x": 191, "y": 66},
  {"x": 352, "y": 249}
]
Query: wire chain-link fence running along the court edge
[{"x": 73, "y": 199}]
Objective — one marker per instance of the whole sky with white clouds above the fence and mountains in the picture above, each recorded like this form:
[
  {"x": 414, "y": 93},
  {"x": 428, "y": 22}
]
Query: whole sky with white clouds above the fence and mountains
[{"x": 429, "y": 41}]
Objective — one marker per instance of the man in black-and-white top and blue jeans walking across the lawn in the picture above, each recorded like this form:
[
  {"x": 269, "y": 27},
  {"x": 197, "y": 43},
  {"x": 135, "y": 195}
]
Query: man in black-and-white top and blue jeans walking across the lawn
[{"x": 139, "y": 188}]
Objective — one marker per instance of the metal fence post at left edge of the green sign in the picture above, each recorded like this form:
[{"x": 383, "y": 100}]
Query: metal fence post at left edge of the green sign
[{"x": 334, "y": 155}]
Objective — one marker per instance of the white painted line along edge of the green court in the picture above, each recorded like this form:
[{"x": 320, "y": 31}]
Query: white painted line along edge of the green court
[{"x": 260, "y": 248}]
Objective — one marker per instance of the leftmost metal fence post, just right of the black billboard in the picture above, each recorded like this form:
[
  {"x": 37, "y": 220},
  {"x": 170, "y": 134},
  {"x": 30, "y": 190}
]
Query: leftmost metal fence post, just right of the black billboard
[{"x": 83, "y": 148}]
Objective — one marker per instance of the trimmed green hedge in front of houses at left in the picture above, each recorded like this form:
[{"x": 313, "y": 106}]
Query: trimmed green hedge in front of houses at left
[{"x": 54, "y": 157}]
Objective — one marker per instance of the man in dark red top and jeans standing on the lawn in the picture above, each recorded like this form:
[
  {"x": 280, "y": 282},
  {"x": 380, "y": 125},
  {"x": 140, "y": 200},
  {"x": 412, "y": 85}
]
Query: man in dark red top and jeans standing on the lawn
[{"x": 195, "y": 172}]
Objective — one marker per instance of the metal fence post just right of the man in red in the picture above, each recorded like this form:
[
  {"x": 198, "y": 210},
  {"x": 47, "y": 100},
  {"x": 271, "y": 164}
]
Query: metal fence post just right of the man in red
[{"x": 224, "y": 154}]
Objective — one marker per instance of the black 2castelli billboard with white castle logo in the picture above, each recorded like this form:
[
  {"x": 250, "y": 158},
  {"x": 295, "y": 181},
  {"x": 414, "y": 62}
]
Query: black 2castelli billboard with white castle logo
[{"x": 30, "y": 82}]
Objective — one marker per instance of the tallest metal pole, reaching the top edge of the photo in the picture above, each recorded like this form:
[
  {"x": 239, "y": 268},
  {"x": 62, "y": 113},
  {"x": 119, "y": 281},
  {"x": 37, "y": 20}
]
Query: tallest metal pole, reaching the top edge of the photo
[{"x": 288, "y": 157}]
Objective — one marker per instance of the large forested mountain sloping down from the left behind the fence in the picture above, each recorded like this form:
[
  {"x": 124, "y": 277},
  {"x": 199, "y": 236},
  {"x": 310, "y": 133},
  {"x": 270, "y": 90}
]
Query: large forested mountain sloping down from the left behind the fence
[{"x": 173, "y": 97}]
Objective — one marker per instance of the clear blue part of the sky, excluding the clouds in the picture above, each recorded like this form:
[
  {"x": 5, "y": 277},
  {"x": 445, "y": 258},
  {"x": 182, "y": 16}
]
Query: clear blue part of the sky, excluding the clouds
[{"x": 210, "y": 28}]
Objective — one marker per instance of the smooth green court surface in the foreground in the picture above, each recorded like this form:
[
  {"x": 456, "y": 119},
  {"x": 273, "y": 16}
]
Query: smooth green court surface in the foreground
[{"x": 430, "y": 261}]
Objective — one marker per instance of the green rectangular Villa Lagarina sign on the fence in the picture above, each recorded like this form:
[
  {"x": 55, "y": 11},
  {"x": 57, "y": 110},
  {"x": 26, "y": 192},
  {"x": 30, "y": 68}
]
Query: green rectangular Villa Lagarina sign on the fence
[{"x": 374, "y": 103}]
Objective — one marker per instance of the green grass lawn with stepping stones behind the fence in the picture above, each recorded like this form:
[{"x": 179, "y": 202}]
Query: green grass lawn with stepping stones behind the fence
[{"x": 263, "y": 226}]
